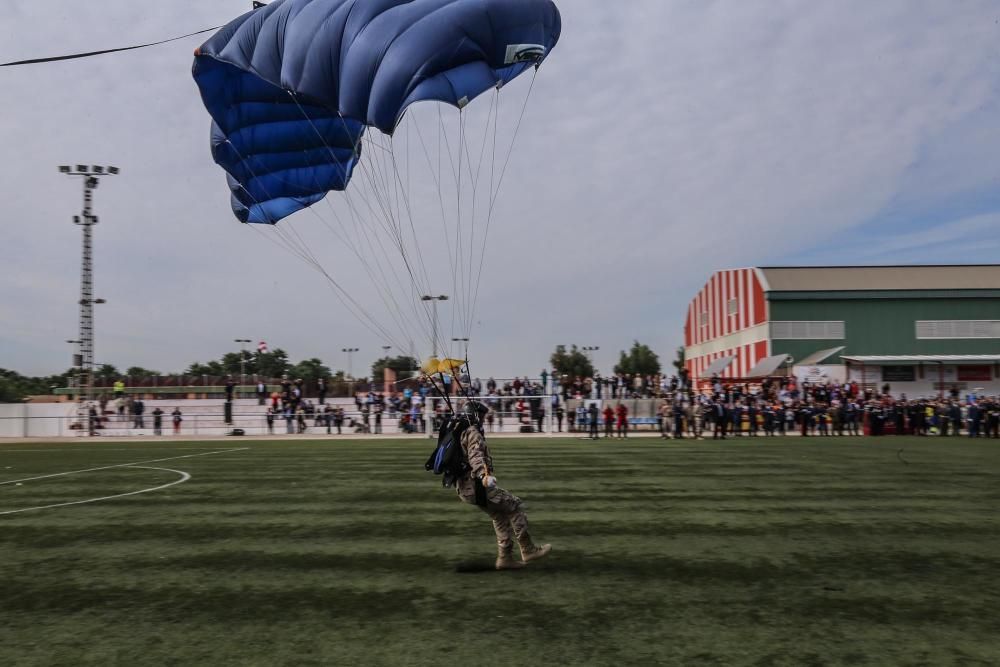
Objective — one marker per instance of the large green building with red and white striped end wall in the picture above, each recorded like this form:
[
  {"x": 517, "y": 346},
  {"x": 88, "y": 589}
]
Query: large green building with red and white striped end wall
[{"x": 921, "y": 329}]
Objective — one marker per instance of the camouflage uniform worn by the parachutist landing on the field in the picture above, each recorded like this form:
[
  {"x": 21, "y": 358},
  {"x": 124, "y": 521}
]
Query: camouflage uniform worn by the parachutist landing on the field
[{"x": 509, "y": 520}]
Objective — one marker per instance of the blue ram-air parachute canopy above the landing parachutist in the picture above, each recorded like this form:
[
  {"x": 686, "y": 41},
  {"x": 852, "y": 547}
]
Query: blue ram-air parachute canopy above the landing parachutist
[{"x": 292, "y": 86}]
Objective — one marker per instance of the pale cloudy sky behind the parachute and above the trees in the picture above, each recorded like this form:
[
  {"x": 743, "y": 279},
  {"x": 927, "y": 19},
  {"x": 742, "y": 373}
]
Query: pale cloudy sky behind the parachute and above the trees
[{"x": 661, "y": 141}]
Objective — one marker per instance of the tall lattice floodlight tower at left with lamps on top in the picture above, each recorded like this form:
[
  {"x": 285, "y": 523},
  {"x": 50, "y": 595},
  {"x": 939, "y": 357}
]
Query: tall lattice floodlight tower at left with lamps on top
[{"x": 91, "y": 177}]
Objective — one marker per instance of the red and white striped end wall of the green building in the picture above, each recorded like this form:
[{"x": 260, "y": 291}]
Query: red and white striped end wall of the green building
[{"x": 727, "y": 318}]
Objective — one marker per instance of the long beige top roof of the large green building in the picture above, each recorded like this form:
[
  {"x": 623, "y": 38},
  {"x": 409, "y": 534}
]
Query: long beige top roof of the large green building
[{"x": 852, "y": 278}]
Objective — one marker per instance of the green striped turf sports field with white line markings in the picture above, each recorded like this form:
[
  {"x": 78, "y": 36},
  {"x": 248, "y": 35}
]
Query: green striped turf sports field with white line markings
[{"x": 788, "y": 552}]
